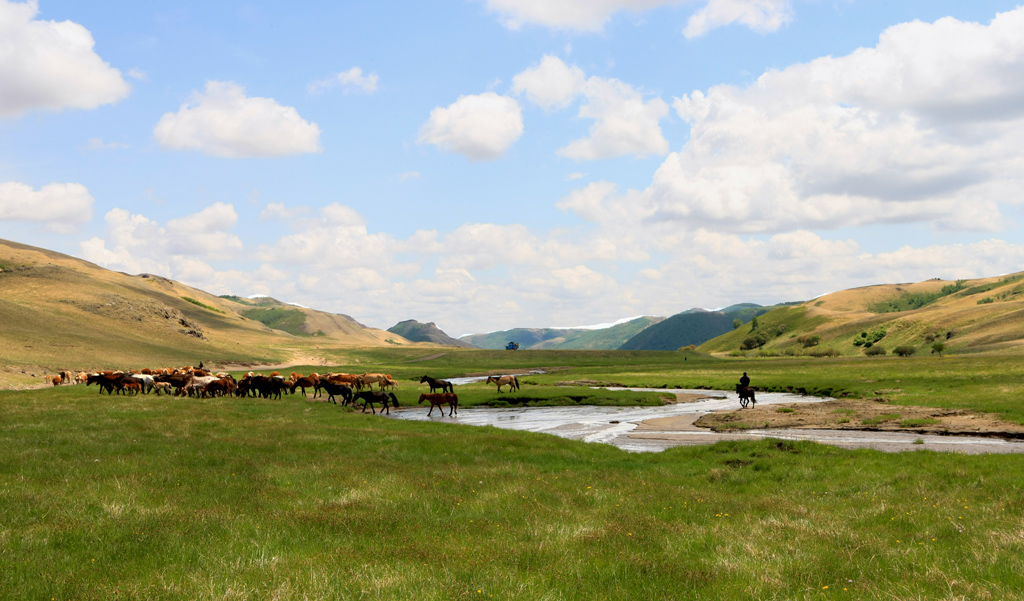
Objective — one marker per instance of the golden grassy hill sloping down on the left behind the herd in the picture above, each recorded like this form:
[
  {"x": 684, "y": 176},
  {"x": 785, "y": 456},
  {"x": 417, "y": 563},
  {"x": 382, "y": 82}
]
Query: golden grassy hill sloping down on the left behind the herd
[{"x": 61, "y": 313}]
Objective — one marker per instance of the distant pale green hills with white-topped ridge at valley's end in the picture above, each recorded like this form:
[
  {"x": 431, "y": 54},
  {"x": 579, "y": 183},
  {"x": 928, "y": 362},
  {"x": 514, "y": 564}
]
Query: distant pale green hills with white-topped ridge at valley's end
[{"x": 564, "y": 338}]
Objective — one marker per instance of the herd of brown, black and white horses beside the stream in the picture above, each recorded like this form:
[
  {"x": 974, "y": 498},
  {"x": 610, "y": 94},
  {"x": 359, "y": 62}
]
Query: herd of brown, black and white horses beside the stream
[{"x": 195, "y": 382}]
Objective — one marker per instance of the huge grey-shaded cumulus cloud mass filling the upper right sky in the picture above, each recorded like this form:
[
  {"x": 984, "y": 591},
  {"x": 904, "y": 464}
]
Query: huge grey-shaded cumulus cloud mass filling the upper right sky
[{"x": 925, "y": 127}]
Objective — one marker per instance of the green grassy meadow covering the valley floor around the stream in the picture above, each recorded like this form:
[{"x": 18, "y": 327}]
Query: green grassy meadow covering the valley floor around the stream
[{"x": 160, "y": 498}]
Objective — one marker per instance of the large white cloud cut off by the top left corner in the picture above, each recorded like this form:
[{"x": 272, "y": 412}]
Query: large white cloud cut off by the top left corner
[{"x": 51, "y": 66}]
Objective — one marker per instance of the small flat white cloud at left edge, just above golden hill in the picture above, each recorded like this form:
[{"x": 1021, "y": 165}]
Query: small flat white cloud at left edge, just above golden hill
[{"x": 62, "y": 207}]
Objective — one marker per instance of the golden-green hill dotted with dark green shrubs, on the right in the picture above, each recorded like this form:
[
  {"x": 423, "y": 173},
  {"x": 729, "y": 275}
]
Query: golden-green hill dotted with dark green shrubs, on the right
[{"x": 967, "y": 317}]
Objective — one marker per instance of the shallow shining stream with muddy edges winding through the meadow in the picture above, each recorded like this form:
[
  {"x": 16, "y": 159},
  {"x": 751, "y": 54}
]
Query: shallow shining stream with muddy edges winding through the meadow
[{"x": 658, "y": 428}]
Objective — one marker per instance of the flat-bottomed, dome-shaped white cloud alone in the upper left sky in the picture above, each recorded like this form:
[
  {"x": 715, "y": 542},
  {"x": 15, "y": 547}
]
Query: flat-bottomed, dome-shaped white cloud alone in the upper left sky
[{"x": 222, "y": 121}]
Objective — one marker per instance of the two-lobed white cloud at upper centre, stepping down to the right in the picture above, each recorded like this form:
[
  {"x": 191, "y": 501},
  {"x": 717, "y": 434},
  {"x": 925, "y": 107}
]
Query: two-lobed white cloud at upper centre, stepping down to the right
[{"x": 624, "y": 123}]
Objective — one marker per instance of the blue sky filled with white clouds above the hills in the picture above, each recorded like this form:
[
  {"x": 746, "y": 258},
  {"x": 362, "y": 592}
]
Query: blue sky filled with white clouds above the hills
[{"x": 493, "y": 164}]
